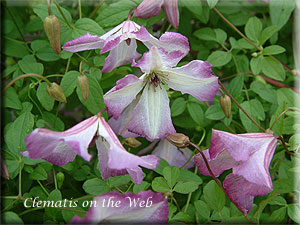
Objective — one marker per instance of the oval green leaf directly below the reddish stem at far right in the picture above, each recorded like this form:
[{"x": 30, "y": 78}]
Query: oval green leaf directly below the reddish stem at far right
[{"x": 264, "y": 91}]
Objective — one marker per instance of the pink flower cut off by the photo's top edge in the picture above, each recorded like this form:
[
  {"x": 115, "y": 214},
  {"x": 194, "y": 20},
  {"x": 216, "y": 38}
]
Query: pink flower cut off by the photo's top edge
[{"x": 149, "y": 8}]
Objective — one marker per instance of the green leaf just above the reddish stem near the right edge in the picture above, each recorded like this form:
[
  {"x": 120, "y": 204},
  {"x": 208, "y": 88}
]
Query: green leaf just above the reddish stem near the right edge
[{"x": 273, "y": 69}]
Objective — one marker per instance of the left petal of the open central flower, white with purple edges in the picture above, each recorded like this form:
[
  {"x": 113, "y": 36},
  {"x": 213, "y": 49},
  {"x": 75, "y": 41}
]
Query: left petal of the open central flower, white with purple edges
[{"x": 122, "y": 94}]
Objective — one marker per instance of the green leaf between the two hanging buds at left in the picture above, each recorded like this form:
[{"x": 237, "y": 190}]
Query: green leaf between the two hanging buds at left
[{"x": 69, "y": 82}]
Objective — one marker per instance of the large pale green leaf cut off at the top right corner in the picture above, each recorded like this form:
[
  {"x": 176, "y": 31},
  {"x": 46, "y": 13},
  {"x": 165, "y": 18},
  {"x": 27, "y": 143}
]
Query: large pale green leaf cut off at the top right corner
[{"x": 280, "y": 12}]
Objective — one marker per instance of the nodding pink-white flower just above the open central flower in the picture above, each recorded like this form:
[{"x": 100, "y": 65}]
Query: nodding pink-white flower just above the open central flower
[{"x": 120, "y": 41}]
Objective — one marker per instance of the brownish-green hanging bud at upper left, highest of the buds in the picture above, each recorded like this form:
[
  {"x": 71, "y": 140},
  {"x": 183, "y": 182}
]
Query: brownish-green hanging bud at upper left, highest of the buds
[{"x": 52, "y": 29}]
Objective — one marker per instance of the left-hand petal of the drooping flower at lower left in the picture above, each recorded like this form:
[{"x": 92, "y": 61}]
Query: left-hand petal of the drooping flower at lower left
[{"x": 61, "y": 147}]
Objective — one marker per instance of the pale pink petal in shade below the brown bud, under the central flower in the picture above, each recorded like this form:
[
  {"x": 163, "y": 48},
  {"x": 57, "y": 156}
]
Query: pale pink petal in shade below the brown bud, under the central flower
[{"x": 173, "y": 155}]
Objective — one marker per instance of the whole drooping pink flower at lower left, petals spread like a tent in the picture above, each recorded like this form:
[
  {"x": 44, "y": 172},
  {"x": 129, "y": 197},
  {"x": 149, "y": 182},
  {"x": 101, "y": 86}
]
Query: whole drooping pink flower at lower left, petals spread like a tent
[{"x": 60, "y": 148}]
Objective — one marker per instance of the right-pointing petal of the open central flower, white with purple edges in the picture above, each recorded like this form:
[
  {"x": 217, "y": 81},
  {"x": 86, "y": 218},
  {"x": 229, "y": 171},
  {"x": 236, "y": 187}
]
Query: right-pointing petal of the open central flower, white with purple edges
[{"x": 195, "y": 78}]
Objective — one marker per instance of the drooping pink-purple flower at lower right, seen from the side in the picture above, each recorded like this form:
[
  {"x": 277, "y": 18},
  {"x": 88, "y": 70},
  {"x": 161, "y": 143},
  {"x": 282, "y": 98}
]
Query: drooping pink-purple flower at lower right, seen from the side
[{"x": 249, "y": 155}]
